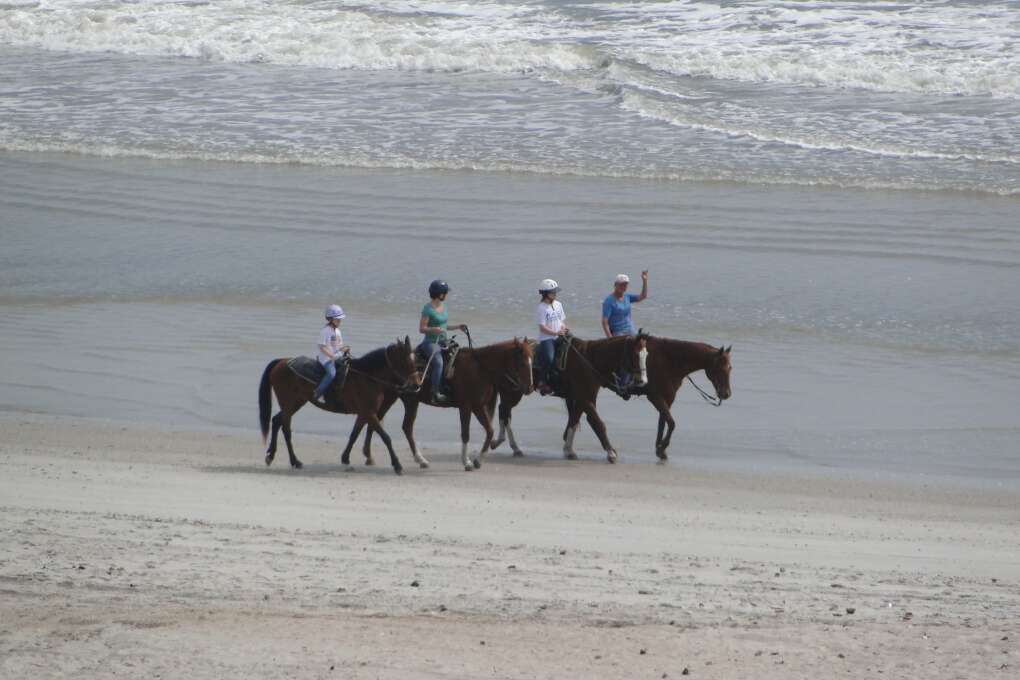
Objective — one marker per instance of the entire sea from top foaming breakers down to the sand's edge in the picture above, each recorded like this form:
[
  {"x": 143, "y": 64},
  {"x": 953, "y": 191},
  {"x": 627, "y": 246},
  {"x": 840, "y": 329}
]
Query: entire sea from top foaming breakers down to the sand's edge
[{"x": 831, "y": 187}]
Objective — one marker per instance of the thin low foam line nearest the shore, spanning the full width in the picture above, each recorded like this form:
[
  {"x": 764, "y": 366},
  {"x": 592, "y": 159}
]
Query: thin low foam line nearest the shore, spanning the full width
[{"x": 106, "y": 150}]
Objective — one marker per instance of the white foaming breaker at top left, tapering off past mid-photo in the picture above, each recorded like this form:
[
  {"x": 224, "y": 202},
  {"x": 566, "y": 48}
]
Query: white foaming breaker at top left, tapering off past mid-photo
[{"x": 297, "y": 35}]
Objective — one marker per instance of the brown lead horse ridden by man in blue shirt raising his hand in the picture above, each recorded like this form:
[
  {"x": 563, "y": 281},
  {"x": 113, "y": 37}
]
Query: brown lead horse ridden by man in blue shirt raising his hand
[{"x": 670, "y": 362}]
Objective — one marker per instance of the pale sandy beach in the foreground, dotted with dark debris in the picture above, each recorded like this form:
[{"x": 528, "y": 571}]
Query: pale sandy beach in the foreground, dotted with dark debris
[{"x": 139, "y": 552}]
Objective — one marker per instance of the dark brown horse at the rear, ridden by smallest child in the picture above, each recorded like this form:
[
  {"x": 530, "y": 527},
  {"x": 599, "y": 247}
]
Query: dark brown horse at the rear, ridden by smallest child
[{"x": 371, "y": 381}]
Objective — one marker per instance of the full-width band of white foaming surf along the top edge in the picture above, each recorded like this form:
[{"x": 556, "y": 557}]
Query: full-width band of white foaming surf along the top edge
[{"x": 925, "y": 48}]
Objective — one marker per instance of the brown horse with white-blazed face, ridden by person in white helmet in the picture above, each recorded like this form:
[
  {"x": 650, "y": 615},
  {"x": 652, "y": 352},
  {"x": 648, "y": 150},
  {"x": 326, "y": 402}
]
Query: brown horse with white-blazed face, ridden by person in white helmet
[{"x": 590, "y": 365}]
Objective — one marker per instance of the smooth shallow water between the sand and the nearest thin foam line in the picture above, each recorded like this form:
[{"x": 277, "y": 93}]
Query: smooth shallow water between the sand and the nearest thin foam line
[{"x": 874, "y": 333}]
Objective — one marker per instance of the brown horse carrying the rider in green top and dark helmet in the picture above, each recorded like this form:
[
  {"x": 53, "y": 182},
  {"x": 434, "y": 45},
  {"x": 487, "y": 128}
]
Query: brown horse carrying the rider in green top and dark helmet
[{"x": 480, "y": 375}]
